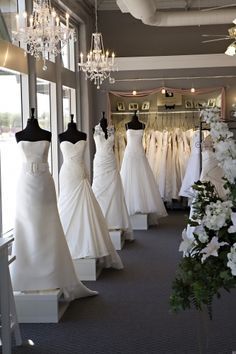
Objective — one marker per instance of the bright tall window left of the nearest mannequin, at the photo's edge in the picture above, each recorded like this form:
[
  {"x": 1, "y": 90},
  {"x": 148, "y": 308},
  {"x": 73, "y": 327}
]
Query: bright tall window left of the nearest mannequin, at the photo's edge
[{"x": 10, "y": 123}]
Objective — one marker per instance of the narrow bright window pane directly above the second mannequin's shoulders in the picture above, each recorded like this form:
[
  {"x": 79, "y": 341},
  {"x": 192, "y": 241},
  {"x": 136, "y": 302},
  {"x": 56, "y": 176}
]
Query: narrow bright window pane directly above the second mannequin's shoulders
[{"x": 68, "y": 105}]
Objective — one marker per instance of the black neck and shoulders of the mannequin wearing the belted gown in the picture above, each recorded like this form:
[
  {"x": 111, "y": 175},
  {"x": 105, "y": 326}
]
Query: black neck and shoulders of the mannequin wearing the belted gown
[{"x": 32, "y": 131}]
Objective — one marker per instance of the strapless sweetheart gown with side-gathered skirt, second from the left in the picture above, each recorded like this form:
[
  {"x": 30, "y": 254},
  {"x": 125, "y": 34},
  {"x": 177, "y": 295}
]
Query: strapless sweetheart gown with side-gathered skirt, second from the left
[{"x": 84, "y": 225}]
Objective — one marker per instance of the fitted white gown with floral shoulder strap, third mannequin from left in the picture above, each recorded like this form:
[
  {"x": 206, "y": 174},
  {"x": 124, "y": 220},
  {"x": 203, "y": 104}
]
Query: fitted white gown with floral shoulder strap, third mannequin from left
[{"x": 107, "y": 185}]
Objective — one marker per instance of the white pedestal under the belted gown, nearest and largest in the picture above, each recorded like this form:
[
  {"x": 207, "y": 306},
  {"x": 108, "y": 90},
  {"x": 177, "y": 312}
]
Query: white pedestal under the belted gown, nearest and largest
[{"x": 40, "y": 307}]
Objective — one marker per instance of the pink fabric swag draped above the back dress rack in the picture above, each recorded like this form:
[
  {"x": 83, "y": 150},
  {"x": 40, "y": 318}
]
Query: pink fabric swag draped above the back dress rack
[{"x": 177, "y": 90}]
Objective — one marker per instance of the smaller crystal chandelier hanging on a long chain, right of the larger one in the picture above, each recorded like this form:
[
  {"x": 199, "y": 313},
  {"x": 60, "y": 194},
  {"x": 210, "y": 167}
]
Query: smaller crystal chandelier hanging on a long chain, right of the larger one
[{"x": 98, "y": 65}]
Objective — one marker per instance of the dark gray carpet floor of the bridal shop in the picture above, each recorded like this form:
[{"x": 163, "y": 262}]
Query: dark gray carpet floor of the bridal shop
[{"x": 131, "y": 313}]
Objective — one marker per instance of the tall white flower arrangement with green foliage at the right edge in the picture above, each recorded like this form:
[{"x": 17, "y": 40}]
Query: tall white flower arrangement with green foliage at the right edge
[{"x": 209, "y": 251}]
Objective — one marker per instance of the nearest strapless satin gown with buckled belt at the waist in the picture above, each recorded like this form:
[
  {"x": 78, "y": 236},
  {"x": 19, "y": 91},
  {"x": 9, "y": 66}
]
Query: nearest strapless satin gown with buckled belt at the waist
[{"x": 43, "y": 260}]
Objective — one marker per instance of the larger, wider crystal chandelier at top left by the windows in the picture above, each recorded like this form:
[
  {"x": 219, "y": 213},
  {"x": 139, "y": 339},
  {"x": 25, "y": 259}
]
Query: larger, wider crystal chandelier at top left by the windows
[{"x": 42, "y": 33}]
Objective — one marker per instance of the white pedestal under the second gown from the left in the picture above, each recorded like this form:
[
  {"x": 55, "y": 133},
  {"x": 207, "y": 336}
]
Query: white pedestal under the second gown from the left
[{"x": 87, "y": 268}]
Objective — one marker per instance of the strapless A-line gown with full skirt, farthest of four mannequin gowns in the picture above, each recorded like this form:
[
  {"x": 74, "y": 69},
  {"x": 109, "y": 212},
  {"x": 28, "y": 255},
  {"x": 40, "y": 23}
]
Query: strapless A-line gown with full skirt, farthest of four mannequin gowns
[{"x": 141, "y": 191}]
